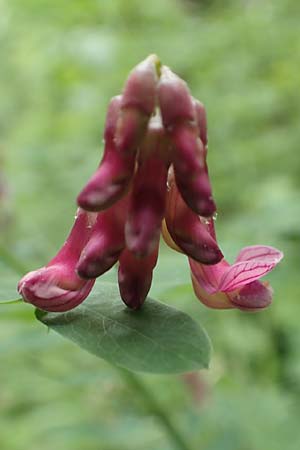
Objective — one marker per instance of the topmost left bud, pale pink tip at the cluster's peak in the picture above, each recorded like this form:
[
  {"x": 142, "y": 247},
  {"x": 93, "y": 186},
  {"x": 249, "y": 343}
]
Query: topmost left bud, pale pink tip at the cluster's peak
[{"x": 138, "y": 104}]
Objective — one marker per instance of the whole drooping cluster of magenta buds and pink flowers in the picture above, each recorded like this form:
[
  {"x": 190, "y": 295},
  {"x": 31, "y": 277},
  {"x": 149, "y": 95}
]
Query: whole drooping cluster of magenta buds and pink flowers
[{"x": 153, "y": 177}]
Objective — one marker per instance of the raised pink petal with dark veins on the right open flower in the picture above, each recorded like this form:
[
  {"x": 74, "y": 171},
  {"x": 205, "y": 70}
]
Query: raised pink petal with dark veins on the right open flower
[{"x": 245, "y": 272}]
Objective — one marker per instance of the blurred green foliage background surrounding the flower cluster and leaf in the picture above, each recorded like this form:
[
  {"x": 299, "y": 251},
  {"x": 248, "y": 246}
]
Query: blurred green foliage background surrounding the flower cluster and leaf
[{"x": 61, "y": 62}]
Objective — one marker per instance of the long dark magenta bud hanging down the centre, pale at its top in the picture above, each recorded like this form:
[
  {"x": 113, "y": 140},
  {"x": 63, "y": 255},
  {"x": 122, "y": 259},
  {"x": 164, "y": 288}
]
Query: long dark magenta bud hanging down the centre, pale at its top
[{"x": 147, "y": 199}]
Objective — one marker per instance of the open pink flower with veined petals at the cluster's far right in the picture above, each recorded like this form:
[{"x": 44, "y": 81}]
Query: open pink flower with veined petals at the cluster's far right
[{"x": 224, "y": 286}]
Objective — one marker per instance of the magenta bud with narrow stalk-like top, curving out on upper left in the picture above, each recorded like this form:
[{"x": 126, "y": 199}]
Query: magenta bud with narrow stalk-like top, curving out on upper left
[{"x": 111, "y": 180}]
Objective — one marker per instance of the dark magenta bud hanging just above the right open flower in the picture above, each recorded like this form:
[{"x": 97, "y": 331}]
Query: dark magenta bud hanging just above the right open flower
[{"x": 188, "y": 231}]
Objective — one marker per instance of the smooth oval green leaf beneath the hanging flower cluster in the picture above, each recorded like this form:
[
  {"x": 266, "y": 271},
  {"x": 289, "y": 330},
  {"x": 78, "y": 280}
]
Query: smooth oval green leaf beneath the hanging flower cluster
[{"x": 156, "y": 339}]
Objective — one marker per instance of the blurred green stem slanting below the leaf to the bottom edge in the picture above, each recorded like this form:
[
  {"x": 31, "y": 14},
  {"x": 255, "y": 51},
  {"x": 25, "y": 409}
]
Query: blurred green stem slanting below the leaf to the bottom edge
[{"x": 136, "y": 383}]
